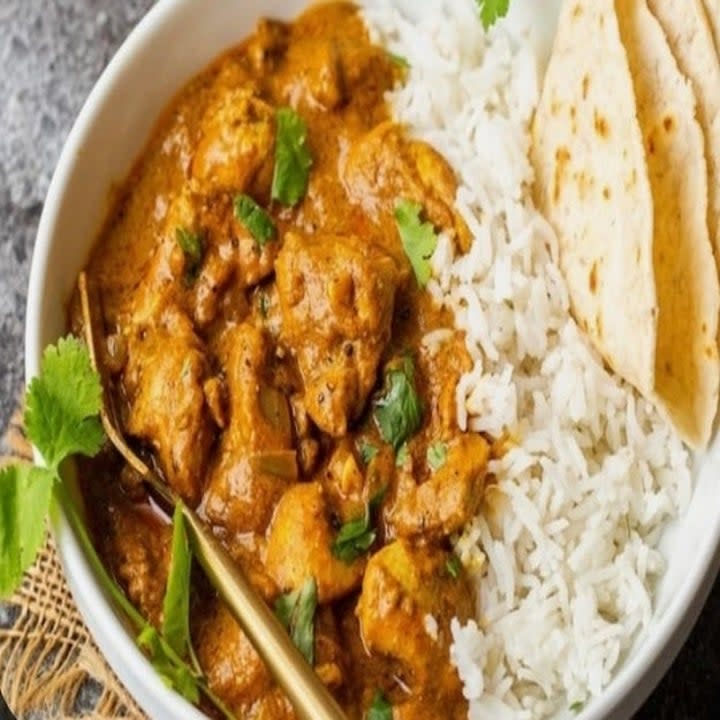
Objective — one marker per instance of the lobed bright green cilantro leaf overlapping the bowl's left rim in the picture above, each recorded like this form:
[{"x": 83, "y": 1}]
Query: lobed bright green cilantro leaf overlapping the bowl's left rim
[{"x": 63, "y": 404}]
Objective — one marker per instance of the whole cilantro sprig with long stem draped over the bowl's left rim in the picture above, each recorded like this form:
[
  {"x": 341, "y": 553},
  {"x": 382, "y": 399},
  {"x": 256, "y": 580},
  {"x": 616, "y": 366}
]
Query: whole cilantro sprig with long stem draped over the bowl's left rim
[{"x": 63, "y": 406}]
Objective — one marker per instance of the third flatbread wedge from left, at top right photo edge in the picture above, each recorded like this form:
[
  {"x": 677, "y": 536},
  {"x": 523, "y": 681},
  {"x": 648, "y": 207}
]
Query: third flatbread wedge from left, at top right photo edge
[{"x": 686, "y": 26}]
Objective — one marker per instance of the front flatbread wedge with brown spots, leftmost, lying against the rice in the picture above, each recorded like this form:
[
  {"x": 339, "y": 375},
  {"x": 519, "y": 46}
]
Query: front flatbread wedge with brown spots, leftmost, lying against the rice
[{"x": 592, "y": 184}]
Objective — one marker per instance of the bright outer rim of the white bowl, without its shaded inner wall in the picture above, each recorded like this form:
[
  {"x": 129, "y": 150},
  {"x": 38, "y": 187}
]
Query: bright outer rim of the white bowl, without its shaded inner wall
[{"x": 635, "y": 678}]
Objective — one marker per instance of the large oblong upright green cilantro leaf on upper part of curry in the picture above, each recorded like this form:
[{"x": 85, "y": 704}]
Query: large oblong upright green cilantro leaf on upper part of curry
[{"x": 292, "y": 158}]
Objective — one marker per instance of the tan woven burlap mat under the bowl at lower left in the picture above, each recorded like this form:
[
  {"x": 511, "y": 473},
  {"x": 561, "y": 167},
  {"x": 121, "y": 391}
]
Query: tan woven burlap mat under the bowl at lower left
[{"x": 50, "y": 668}]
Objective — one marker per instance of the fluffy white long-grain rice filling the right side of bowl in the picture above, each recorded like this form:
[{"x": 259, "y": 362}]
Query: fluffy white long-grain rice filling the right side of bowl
[{"x": 566, "y": 581}]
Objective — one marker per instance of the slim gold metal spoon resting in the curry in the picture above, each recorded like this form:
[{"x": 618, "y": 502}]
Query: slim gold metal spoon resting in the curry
[{"x": 310, "y": 698}]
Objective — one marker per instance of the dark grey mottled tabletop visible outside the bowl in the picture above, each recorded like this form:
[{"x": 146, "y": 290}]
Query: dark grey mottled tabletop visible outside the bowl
[{"x": 51, "y": 53}]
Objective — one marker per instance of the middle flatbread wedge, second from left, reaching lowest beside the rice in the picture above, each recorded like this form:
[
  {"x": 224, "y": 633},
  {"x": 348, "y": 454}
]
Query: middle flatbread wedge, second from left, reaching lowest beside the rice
[{"x": 687, "y": 370}]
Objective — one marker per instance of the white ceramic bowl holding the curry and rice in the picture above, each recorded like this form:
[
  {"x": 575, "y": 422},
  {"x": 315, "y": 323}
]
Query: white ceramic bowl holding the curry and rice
[{"x": 177, "y": 39}]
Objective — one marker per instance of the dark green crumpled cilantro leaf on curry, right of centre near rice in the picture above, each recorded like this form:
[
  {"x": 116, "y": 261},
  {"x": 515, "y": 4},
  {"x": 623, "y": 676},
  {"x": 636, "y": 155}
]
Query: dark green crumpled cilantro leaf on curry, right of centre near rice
[{"x": 398, "y": 413}]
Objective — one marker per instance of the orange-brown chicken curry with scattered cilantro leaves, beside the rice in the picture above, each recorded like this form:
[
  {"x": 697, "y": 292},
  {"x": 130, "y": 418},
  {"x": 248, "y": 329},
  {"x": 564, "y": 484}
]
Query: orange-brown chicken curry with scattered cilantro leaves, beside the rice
[{"x": 275, "y": 355}]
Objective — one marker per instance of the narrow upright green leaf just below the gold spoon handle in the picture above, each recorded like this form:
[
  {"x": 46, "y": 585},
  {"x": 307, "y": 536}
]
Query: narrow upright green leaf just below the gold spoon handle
[{"x": 176, "y": 604}]
